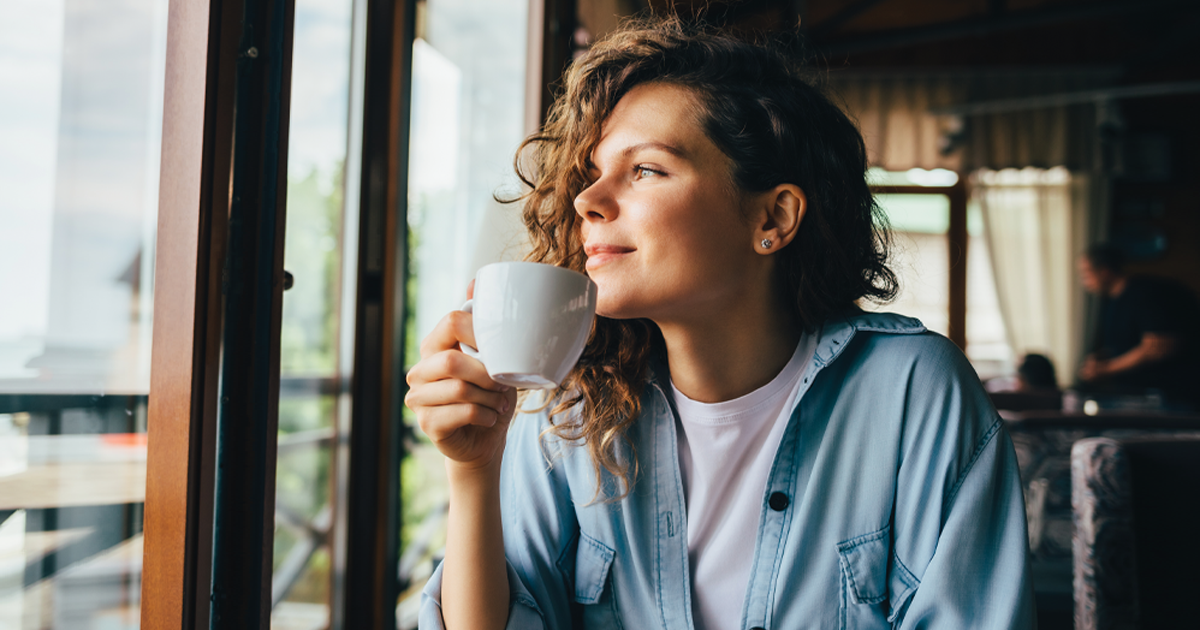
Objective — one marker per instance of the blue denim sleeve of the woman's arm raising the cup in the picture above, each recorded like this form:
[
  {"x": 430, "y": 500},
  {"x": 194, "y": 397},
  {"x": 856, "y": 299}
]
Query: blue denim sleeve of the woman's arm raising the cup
[{"x": 541, "y": 533}]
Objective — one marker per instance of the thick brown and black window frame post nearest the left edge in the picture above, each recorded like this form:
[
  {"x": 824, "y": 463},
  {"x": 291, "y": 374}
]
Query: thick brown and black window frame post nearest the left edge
[{"x": 214, "y": 385}]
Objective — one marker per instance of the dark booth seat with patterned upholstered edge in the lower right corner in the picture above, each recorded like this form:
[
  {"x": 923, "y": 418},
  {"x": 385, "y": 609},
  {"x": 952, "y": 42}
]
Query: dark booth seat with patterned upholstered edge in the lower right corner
[{"x": 1137, "y": 555}]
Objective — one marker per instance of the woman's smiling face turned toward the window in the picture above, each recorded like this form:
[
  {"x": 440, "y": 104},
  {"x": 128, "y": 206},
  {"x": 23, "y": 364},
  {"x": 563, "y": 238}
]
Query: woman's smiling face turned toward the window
[{"x": 663, "y": 226}]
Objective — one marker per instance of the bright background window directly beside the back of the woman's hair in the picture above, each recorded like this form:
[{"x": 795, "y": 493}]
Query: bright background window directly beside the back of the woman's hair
[{"x": 920, "y": 257}]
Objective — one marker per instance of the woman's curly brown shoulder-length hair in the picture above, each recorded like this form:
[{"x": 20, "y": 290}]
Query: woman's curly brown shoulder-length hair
[{"x": 763, "y": 110}]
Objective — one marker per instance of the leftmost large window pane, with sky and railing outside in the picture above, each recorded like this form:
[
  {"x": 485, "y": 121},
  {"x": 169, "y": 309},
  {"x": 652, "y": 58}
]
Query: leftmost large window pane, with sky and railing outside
[{"x": 81, "y": 128}]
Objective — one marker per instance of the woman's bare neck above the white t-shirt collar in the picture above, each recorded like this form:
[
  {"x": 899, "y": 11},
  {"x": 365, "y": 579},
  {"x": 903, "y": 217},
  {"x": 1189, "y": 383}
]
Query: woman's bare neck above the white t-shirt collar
[{"x": 730, "y": 353}]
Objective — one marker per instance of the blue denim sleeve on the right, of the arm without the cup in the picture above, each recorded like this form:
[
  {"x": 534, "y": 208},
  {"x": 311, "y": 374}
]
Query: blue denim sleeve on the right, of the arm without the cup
[{"x": 959, "y": 518}]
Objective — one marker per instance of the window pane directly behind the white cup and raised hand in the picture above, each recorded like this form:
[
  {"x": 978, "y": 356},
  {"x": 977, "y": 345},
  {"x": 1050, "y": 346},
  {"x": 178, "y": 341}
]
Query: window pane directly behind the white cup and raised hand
[{"x": 469, "y": 119}]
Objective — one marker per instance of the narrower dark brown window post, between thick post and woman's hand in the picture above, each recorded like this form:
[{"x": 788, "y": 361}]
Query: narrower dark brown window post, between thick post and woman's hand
[{"x": 379, "y": 388}]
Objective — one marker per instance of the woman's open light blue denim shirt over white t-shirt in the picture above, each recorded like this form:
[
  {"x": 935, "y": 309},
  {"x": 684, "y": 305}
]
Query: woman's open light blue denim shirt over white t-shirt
[{"x": 893, "y": 502}]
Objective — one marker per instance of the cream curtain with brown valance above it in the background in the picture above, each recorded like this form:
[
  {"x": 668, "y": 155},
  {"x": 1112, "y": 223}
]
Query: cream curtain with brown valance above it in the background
[{"x": 1037, "y": 221}]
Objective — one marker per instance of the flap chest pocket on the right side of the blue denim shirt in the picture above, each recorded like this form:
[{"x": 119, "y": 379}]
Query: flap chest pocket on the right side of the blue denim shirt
[{"x": 875, "y": 585}]
